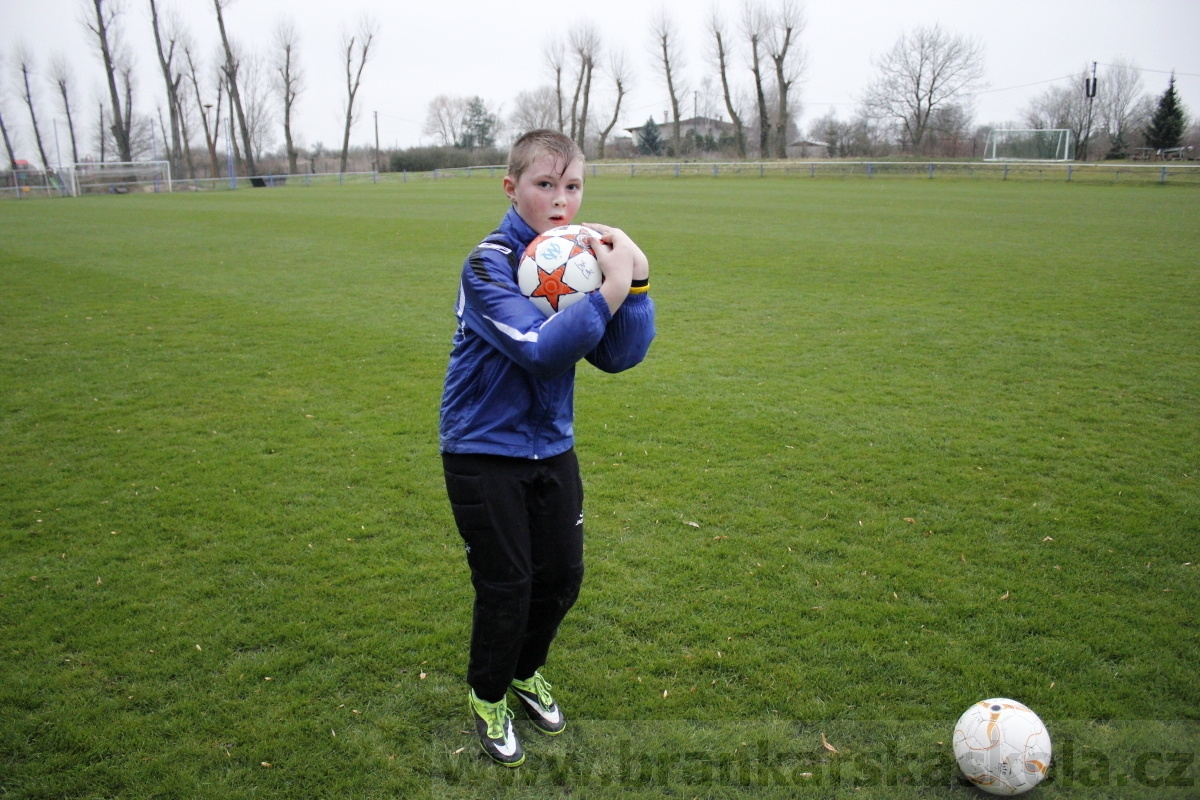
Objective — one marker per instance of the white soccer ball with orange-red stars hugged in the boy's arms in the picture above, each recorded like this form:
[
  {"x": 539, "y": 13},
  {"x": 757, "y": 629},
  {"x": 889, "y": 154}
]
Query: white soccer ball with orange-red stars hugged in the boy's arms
[{"x": 559, "y": 270}]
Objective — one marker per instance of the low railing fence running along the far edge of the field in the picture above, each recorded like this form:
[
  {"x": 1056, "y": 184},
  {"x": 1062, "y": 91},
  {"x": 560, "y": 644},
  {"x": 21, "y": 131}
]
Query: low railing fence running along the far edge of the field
[{"x": 1073, "y": 173}]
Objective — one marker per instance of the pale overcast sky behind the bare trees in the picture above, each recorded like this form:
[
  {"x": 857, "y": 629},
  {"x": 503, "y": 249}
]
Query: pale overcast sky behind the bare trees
[{"x": 495, "y": 50}]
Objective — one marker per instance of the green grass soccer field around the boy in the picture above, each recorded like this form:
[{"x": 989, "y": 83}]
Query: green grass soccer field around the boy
[{"x": 899, "y": 447}]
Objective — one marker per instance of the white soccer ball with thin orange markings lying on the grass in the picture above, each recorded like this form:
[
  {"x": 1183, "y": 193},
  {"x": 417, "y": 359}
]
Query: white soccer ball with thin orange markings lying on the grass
[{"x": 1003, "y": 747}]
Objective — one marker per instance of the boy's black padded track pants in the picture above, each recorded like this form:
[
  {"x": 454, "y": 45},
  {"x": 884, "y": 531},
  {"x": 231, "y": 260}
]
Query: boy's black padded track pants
[{"x": 521, "y": 522}]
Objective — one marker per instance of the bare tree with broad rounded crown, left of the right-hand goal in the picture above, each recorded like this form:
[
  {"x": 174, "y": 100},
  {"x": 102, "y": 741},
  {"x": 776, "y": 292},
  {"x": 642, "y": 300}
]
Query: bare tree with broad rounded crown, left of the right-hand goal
[{"x": 926, "y": 69}]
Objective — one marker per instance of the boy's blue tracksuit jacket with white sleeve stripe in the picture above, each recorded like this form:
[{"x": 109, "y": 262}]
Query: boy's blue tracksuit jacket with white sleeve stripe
[{"x": 511, "y": 386}]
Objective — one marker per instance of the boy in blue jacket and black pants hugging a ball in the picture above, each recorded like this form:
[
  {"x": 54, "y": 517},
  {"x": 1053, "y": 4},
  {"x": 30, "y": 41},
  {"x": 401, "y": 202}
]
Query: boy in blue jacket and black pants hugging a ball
[{"x": 507, "y": 434}]
